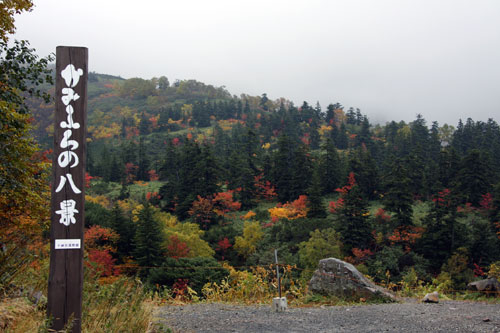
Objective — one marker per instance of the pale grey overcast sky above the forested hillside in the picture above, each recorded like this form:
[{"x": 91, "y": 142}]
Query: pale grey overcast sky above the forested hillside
[{"x": 392, "y": 59}]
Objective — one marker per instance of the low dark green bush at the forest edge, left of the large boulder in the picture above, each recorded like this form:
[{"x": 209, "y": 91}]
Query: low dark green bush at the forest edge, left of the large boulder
[{"x": 197, "y": 272}]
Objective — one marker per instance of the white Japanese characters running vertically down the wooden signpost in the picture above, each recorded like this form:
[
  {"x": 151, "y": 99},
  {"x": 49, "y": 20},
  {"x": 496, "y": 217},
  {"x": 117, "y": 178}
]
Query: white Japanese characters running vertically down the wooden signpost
[{"x": 68, "y": 158}]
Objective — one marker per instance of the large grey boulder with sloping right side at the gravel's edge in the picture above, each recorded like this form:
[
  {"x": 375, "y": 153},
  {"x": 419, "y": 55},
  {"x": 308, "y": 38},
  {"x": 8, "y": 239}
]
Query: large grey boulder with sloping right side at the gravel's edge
[{"x": 335, "y": 277}]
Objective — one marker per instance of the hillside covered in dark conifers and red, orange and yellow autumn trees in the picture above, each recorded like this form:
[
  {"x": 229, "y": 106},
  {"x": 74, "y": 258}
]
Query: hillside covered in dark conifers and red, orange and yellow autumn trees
[{"x": 186, "y": 173}]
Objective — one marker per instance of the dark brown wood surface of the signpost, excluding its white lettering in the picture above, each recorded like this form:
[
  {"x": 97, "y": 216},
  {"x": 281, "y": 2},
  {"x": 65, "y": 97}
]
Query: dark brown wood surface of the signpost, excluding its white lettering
[{"x": 66, "y": 265}]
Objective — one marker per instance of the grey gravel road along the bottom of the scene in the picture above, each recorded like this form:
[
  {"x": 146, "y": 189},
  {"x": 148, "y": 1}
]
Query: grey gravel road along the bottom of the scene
[{"x": 447, "y": 316}]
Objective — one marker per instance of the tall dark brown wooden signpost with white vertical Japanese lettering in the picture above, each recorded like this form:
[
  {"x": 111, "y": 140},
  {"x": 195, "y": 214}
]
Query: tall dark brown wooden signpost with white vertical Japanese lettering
[{"x": 68, "y": 176}]
